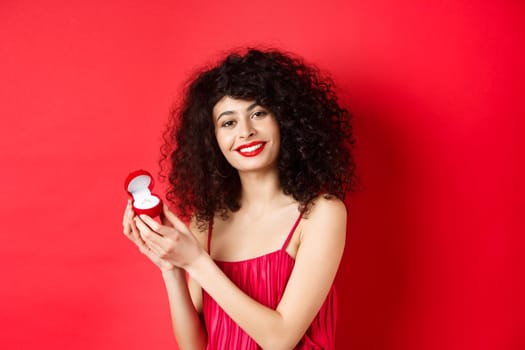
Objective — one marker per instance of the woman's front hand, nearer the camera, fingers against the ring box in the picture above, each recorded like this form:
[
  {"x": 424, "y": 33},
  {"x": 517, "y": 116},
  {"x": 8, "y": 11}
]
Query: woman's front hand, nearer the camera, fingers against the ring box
[{"x": 171, "y": 241}]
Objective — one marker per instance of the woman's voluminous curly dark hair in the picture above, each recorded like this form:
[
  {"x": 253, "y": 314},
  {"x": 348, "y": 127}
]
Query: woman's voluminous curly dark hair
[{"x": 316, "y": 134}]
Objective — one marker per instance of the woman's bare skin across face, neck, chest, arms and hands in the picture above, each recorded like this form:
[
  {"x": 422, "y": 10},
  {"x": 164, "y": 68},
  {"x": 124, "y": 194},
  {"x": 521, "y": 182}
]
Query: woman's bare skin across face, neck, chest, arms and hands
[{"x": 317, "y": 244}]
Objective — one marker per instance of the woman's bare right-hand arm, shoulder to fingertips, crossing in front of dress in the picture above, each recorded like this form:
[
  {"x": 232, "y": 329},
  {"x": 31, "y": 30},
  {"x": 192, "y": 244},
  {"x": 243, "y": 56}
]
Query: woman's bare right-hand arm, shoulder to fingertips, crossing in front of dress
[{"x": 321, "y": 246}]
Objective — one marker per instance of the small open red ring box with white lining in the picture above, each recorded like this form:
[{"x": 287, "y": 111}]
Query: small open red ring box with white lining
[{"x": 139, "y": 184}]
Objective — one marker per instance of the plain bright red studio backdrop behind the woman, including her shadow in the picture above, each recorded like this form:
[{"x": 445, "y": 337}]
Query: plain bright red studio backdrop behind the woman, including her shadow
[{"x": 434, "y": 257}]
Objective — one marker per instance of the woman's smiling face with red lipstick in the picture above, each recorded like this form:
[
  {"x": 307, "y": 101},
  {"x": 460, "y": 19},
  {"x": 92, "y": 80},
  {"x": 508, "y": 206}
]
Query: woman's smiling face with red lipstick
[{"x": 247, "y": 134}]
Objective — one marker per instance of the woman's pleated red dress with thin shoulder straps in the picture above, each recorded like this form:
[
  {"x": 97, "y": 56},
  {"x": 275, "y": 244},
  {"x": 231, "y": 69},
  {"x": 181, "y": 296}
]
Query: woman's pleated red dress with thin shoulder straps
[{"x": 264, "y": 278}]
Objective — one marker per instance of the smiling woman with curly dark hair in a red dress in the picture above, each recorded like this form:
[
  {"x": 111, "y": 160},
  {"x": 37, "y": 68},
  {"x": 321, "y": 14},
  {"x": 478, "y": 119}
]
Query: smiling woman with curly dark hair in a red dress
[{"x": 259, "y": 163}]
